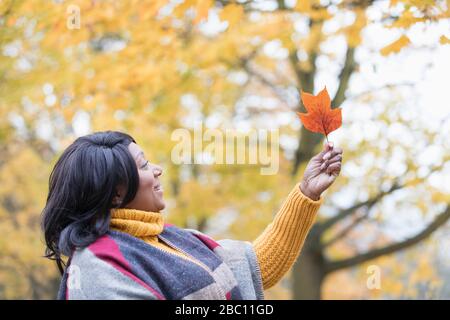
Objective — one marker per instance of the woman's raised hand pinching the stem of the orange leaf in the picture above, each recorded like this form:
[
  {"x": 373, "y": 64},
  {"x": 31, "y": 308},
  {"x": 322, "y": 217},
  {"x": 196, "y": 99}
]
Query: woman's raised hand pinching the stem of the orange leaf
[{"x": 321, "y": 171}]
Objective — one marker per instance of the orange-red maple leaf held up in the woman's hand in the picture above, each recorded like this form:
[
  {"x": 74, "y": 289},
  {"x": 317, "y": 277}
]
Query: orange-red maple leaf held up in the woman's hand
[{"x": 320, "y": 117}]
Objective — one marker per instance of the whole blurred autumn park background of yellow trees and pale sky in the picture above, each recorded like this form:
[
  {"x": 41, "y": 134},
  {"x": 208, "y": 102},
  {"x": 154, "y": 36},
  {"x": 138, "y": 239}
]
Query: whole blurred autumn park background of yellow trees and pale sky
[{"x": 68, "y": 68}]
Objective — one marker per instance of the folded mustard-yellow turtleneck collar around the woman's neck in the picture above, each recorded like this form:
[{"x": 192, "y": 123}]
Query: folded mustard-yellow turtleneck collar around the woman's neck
[{"x": 138, "y": 223}]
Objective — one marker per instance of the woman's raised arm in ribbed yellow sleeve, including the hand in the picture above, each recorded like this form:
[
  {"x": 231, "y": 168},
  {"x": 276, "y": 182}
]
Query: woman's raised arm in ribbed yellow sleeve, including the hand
[{"x": 279, "y": 245}]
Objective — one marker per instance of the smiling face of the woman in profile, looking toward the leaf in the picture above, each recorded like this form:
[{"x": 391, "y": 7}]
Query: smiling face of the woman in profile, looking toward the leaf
[{"x": 149, "y": 196}]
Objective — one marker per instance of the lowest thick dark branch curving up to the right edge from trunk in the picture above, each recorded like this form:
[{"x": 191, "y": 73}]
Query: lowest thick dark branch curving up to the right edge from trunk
[{"x": 375, "y": 253}]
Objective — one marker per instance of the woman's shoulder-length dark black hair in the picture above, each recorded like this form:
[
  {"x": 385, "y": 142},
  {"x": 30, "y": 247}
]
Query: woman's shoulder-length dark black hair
[{"x": 82, "y": 187}]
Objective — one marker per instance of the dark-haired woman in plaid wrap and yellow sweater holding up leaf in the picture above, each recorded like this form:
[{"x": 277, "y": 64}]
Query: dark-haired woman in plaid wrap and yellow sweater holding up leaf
[{"x": 103, "y": 212}]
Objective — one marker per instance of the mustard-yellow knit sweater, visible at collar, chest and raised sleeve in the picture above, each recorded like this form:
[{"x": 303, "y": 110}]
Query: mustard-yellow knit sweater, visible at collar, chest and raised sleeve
[{"x": 277, "y": 247}]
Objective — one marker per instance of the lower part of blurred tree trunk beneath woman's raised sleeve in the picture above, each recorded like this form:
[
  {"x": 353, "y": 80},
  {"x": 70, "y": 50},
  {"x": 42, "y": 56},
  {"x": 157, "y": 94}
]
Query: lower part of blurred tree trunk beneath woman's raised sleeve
[{"x": 309, "y": 270}]
